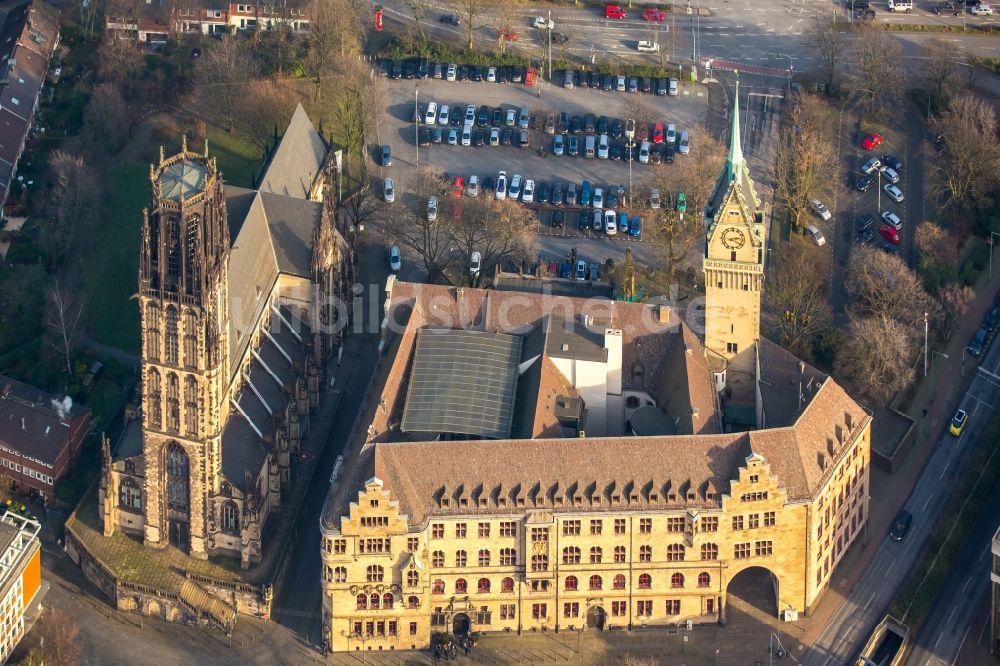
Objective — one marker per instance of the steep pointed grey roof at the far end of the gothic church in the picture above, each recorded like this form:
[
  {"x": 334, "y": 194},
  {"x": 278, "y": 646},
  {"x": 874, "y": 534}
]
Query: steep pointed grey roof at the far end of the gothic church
[{"x": 297, "y": 160}]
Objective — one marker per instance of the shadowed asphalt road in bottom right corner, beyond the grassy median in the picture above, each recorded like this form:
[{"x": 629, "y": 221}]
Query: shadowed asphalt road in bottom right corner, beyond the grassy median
[{"x": 953, "y": 617}]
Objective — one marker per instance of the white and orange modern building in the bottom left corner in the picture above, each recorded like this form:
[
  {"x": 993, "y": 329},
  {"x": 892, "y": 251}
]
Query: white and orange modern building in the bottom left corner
[{"x": 20, "y": 578}]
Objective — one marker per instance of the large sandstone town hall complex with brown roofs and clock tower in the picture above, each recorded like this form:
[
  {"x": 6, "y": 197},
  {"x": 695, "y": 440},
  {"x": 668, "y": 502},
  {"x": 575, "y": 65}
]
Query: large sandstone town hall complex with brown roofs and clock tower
[{"x": 590, "y": 515}]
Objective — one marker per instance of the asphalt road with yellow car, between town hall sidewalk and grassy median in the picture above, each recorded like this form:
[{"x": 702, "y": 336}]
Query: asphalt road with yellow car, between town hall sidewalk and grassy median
[{"x": 868, "y": 602}]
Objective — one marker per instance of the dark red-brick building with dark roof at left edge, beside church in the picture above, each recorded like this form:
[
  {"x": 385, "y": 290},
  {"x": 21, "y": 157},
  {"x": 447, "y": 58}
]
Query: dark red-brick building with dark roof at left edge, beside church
[{"x": 40, "y": 436}]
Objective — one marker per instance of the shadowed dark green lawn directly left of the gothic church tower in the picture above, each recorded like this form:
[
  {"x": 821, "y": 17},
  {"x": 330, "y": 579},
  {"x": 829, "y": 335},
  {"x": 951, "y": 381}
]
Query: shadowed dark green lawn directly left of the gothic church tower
[{"x": 112, "y": 269}]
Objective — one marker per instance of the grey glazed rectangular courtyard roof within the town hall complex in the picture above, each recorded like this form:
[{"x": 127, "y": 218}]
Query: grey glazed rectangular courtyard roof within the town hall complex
[{"x": 462, "y": 382}]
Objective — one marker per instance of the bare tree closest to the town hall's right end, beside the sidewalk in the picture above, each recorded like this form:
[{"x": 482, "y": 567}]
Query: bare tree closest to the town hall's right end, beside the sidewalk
[{"x": 876, "y": 357}]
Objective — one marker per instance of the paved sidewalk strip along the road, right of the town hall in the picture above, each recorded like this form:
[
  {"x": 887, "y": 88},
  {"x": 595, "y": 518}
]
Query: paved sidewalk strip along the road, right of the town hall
[{"x": 889, "y": 491}]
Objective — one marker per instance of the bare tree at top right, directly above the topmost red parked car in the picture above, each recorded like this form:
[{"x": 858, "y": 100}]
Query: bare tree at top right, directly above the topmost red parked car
[{"x": 874, "y": 72}]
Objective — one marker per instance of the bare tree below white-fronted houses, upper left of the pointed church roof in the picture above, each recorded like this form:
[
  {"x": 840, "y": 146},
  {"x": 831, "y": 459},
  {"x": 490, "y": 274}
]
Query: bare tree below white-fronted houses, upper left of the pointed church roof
[{"x": 223, "y": 72}]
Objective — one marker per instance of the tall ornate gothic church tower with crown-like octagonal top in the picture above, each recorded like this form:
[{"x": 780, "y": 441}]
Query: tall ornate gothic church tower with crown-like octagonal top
[{"x": 184, "y": 301}]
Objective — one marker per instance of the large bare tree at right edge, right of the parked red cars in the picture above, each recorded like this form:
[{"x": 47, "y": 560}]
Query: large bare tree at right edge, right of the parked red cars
[{"x": 969, "y": 169}]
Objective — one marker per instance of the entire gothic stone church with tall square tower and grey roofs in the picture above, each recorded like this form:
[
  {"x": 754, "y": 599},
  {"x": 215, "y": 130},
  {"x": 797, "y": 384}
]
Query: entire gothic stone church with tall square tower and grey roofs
[{"x": 240, "y": 293}]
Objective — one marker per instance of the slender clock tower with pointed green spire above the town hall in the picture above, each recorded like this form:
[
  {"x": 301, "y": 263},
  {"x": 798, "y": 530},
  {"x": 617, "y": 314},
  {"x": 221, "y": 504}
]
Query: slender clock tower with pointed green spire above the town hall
[{"x": 734, "y": 260}]
